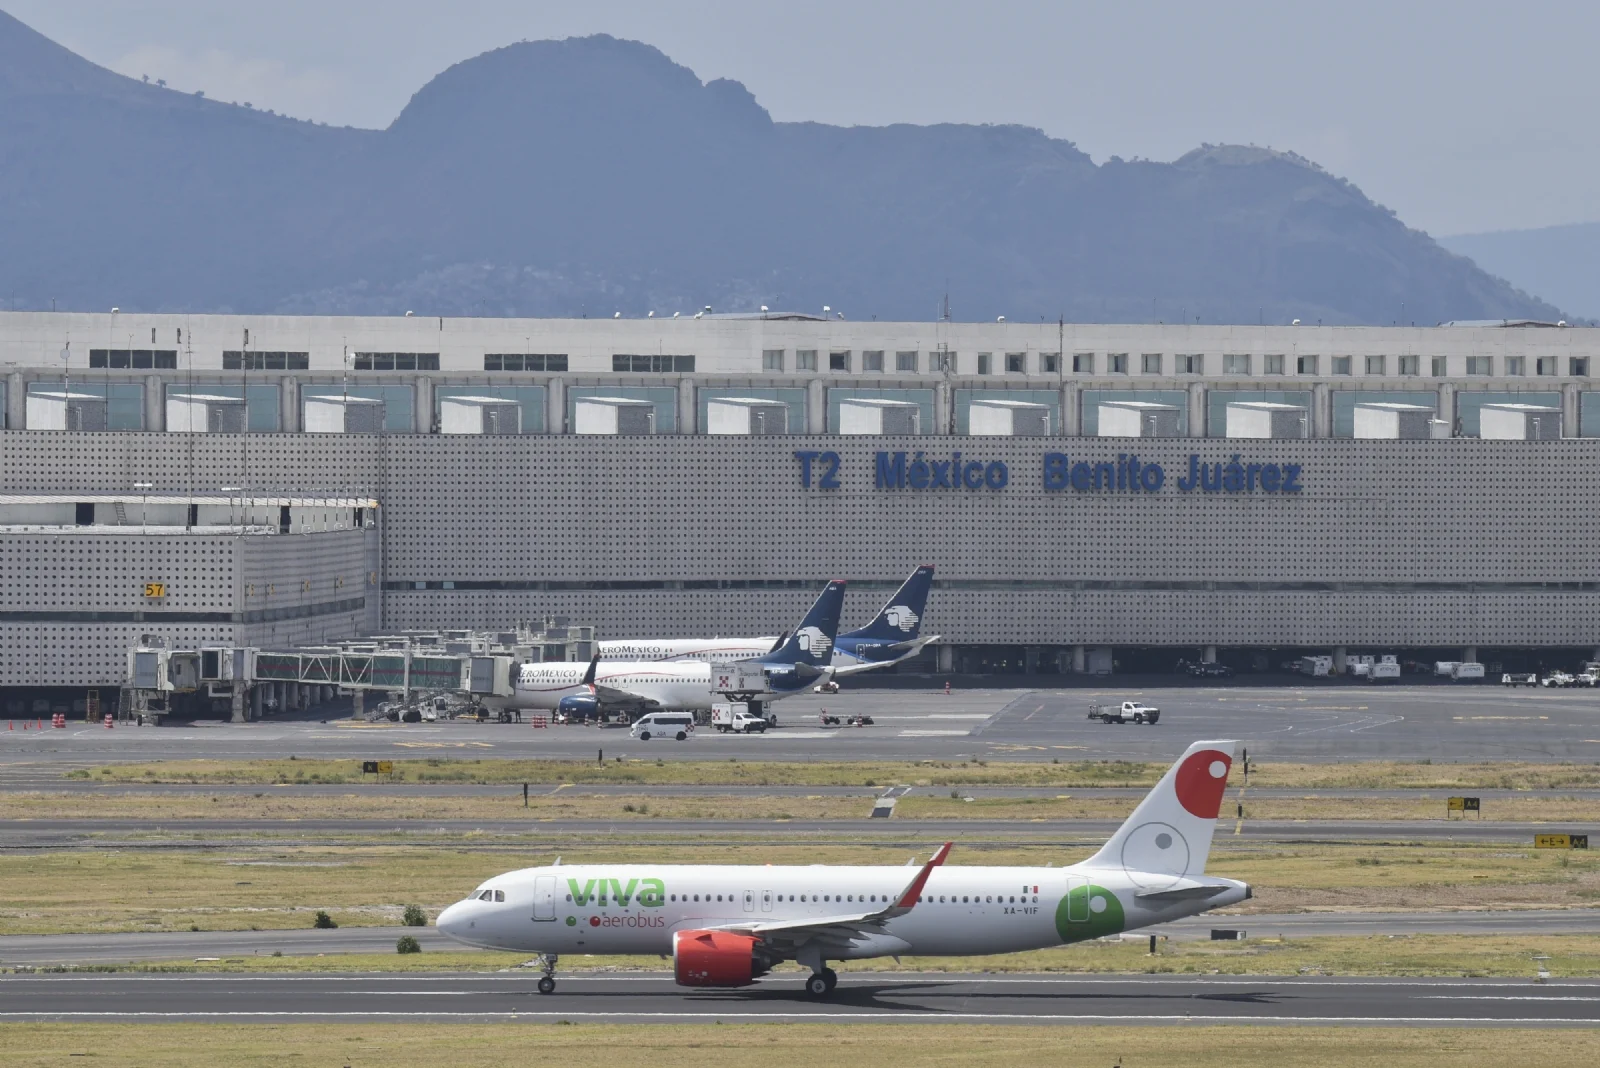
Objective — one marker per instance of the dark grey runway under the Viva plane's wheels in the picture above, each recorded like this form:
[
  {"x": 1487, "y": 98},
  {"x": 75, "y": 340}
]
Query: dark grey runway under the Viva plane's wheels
[{"x": 881, "y": 998}]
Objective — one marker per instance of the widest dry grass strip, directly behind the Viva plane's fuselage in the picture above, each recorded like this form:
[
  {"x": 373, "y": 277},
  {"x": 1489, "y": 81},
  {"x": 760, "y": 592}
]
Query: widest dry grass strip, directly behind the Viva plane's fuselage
[{"x": 268, "y": 882}]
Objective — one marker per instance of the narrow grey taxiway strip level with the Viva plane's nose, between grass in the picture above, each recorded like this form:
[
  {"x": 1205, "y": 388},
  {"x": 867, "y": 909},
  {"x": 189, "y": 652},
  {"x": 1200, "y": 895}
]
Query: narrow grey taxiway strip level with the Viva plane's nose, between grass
[{"x": 185, "y": 946}]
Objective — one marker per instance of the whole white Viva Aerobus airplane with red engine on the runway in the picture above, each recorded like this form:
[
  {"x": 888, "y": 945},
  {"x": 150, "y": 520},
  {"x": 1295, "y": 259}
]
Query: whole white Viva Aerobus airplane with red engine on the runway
[{"x": 729, "y": 925}]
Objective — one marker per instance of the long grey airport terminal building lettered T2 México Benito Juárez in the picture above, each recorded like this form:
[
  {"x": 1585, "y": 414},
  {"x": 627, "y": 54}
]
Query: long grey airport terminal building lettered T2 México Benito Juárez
[{"x": 1092, "y": 496}]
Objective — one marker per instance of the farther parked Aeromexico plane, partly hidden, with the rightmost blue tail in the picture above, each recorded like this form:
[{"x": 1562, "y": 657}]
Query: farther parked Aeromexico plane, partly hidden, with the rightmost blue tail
[{"x": 892, "y": 637}]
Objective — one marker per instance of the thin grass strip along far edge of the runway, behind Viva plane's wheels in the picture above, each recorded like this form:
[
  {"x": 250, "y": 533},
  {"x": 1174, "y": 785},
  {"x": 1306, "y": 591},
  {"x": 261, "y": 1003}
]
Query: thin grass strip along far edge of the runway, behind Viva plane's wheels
[{"x": 1265, "y": 954}]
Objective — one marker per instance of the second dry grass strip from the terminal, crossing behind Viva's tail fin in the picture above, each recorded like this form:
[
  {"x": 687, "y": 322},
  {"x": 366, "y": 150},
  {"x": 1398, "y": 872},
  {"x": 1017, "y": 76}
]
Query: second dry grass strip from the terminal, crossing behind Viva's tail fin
[{"x": 282, "y": 803}]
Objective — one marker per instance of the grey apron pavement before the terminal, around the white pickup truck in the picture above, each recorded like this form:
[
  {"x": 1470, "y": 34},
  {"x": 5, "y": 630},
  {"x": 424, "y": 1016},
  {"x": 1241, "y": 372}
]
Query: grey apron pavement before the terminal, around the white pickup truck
[{"x": 1318, "y": 722}]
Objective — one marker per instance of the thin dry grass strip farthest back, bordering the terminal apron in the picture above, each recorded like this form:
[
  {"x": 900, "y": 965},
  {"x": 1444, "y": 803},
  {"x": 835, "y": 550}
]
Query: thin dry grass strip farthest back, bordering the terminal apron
[{"x": 1073, "y": 775}]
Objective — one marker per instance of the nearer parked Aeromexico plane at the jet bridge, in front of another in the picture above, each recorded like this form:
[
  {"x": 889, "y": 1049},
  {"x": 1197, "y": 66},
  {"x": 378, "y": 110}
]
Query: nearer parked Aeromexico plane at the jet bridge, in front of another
[{"x": 601, "y": 687}]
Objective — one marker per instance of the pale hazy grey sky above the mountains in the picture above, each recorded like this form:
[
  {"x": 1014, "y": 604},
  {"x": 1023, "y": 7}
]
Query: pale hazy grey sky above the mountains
[{"x": 1462, "y": 116}]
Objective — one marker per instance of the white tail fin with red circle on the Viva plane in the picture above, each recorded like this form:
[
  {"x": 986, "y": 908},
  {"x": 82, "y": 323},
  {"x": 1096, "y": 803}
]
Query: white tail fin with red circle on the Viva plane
[{"x": 1169, "y": 837}]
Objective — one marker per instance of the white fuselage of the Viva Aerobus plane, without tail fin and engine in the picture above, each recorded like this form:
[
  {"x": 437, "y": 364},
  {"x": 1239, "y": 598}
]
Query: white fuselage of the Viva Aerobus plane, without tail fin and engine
[{"x": 962, "y": 911}]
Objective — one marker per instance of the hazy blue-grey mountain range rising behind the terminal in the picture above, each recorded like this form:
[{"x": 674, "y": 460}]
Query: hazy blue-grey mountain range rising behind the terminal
[{"x": 594, "y": 175}]
